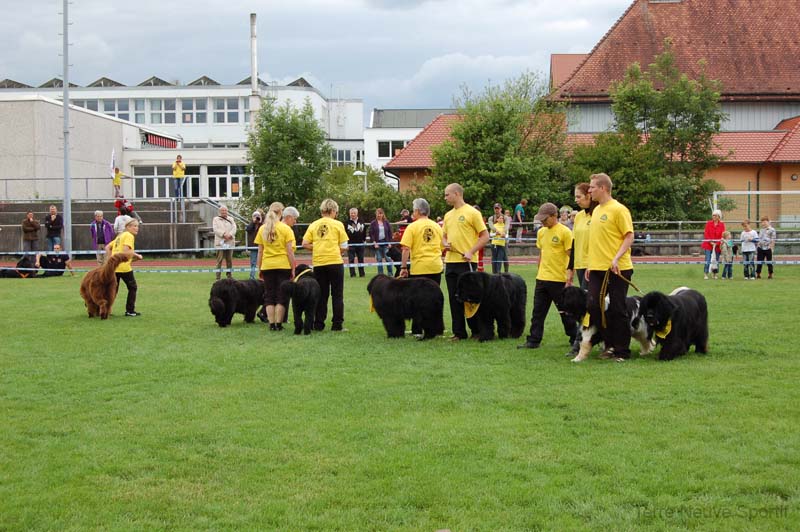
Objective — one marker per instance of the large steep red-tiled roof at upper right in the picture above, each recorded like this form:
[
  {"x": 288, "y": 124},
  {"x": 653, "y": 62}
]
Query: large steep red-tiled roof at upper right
[{"x": 751, "y": 46}]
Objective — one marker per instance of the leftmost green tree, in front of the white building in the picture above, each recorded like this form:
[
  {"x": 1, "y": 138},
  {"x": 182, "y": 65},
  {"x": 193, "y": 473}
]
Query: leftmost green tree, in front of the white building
[{"x": 287, "y": 153}]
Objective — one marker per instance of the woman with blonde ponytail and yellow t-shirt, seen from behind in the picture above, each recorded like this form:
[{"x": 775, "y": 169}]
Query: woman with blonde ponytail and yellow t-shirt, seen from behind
[{"x": 276, "y": 261}]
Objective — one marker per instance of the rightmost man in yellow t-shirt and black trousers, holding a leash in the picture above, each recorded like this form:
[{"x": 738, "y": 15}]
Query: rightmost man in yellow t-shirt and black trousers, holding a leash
[{"x": 610, "y": 268}]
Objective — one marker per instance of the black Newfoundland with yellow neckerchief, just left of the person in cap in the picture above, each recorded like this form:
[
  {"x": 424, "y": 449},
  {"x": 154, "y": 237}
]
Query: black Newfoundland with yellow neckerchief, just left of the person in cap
[{"x": 499, "y": 297}]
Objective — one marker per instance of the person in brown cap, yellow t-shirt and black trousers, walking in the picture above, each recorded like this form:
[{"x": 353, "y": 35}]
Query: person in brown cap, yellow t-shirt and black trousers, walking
[{"x": 554, "y": 241}]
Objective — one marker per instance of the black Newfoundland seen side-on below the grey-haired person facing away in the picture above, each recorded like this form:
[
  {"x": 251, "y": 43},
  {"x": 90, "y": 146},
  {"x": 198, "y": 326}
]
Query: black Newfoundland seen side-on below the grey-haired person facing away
[{"x": 417, "y": 298}]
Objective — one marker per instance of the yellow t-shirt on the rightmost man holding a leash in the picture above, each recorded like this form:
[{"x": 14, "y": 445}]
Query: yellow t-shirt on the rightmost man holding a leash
[{"x": 610, "y": 223}]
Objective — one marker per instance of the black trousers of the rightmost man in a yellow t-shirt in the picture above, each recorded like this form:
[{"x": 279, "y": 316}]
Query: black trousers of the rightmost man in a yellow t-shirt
[{"x": 617, "y": 333}]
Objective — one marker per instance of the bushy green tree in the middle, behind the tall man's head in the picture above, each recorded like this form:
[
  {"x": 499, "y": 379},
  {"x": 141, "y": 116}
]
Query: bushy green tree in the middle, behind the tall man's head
[{"x": 508, "y": 144}]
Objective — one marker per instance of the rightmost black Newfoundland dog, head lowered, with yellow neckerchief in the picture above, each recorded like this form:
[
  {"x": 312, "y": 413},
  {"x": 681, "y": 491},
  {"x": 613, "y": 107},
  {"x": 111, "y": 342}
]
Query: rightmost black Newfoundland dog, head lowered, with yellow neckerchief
[{"x": 678, "y": 320}]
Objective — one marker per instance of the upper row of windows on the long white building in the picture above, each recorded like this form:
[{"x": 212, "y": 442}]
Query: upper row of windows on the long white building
[{"x": 172, "y": 110}]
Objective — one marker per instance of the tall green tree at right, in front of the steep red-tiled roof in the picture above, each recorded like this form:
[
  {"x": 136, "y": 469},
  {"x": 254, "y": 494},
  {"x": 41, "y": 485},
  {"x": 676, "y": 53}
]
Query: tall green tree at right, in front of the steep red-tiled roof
[{"x": 663, "y": 143}]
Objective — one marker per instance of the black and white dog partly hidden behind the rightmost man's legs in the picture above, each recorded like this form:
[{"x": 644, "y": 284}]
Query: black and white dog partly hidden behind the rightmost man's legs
[{"x": 574, "y": 303}]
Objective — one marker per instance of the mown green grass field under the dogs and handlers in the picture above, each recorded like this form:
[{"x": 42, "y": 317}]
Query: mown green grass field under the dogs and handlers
[{"x": 167, "y": 422}]
